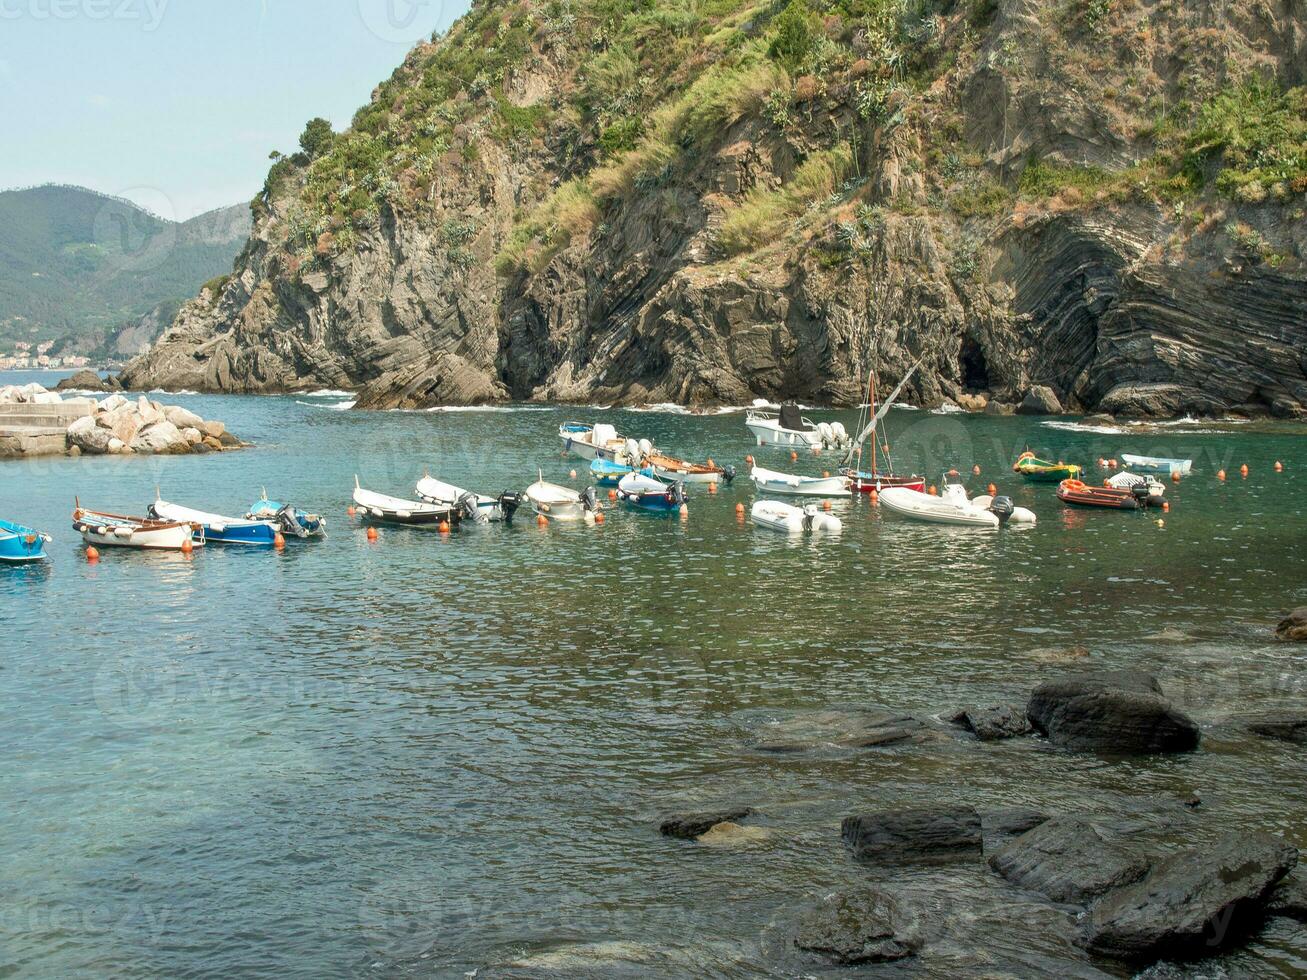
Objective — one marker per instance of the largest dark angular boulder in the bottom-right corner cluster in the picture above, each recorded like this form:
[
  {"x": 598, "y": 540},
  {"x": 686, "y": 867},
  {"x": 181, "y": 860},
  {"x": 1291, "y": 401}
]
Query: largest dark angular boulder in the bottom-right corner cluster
[{"x": 1194, "y": 902}]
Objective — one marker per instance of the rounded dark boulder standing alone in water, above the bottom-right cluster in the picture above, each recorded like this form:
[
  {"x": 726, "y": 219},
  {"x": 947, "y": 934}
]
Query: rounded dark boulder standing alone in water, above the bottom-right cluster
[{"x": 1112, "y": 713}]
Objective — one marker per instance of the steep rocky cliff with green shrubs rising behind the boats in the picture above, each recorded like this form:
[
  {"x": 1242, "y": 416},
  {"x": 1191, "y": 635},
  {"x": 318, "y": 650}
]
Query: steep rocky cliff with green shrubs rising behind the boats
[{"x": 717, "y": 202}]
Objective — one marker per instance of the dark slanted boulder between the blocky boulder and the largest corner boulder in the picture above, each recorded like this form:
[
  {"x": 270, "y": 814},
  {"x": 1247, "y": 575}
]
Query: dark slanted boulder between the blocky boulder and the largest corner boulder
[{"x": 1067, "y": 860}]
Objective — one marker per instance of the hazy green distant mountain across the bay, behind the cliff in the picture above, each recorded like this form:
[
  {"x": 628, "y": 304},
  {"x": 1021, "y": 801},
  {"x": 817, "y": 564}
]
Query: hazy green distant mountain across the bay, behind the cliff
[{"x": 80, "y": 266}]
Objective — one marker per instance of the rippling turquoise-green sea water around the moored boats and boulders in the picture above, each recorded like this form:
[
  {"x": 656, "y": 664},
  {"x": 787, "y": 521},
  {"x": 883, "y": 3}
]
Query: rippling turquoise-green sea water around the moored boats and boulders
[{"x": 429, "y": 755}]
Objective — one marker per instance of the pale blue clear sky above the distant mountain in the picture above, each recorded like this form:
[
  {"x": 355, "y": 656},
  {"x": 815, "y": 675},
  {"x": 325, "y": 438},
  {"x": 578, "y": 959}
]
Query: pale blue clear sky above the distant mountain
[{"x": 177, "y": 104}]
